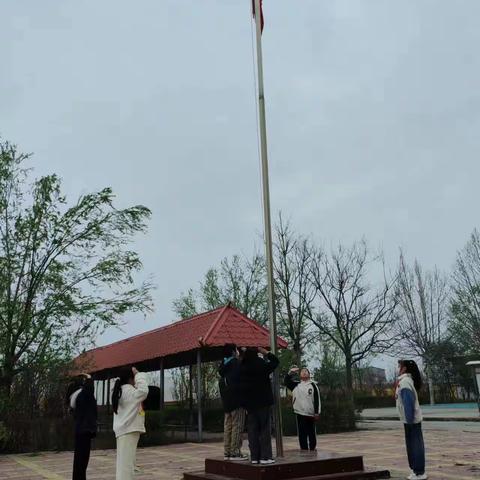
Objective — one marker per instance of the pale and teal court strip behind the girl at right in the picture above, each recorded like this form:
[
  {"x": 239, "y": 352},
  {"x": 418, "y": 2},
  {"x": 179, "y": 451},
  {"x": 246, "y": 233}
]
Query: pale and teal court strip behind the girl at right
[{"x": 445, "y": 412}]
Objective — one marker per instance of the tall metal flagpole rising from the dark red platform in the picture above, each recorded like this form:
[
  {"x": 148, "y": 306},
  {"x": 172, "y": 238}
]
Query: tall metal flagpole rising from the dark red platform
[{"x": 268, "y": 227}]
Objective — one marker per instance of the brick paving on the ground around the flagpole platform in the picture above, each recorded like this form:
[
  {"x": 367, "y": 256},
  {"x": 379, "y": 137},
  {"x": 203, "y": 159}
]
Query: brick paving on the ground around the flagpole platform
[{"x": 450, "y": 455}]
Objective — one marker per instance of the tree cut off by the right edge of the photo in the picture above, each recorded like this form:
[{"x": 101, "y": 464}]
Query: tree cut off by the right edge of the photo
[{"x": 465, "y": 307}]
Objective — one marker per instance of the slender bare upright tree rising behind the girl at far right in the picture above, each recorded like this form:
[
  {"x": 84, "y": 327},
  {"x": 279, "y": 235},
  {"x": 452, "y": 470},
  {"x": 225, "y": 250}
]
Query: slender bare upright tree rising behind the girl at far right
[{"x": 423, "y": 314}]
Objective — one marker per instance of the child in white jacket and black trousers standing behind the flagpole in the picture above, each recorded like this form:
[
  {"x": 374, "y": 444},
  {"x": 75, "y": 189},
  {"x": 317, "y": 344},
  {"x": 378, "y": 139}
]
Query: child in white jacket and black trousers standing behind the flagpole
[{"x": 306, "y": 405}]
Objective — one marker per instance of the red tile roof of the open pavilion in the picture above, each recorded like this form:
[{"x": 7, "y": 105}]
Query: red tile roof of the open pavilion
[{"x": 209, "y": 329}]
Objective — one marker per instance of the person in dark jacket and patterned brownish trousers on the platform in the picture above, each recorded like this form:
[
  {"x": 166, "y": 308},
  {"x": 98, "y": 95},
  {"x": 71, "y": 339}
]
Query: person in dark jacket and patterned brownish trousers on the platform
[{"x": 229, "y": 386}]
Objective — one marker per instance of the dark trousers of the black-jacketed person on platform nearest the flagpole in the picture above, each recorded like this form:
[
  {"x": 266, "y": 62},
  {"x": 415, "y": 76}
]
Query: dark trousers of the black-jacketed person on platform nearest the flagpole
[{"x": 260, "y": 434}]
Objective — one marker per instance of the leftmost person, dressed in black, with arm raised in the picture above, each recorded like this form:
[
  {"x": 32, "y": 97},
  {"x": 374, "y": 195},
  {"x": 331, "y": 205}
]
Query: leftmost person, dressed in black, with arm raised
[{"x": 81, "y": 401}]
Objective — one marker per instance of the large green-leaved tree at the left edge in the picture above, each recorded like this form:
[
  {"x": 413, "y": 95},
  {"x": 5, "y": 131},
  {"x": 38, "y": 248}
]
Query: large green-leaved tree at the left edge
[{"x": 65, "y": 271}]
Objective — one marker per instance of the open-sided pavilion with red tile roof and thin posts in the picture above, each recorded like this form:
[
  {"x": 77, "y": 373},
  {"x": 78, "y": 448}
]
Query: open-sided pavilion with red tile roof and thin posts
[{"x": 186, "y": 342}]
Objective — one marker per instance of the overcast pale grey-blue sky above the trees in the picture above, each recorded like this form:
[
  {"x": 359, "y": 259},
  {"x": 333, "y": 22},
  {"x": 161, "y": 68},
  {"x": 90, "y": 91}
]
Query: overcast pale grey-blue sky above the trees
[{"x": 373, "y": 111}]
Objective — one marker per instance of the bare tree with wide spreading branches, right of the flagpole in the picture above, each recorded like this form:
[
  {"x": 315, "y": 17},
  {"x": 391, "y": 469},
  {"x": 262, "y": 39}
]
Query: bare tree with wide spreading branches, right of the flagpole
[{"x": 356, "y": 316}]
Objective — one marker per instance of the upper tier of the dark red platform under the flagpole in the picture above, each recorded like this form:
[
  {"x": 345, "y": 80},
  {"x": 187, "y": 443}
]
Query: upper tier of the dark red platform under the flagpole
[{"x": 293, "y": 465}]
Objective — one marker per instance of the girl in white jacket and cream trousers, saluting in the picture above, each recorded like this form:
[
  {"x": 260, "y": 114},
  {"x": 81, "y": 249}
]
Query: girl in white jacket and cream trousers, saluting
[{"x": 130, "y": 390}]
